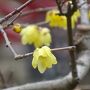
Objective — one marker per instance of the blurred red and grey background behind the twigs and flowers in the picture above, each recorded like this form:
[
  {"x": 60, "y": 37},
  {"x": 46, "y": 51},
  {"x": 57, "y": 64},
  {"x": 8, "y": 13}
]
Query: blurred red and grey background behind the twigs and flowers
[{"x": 13, "y": 72}]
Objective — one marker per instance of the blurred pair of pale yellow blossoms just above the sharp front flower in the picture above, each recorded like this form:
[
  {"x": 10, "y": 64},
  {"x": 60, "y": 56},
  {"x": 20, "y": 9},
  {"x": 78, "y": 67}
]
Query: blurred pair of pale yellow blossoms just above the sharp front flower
[{"x": 35, "y": 35}]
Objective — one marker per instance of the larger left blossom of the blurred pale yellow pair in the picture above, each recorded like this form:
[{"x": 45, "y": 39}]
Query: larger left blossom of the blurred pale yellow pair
[{"x": 30, "y": 34}]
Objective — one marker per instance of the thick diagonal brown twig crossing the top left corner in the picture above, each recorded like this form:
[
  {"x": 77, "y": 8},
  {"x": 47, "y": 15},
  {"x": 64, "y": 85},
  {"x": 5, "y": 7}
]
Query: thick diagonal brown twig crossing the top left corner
[{"x": 15, "y": 12}]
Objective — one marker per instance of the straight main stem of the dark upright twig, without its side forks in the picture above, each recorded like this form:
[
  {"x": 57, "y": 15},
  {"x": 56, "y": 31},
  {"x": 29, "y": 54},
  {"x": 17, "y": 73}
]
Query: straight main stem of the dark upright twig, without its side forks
[{"x": 70, "y": 42}]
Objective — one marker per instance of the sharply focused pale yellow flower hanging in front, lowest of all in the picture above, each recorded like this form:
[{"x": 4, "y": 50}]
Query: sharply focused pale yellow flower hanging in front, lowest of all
[{"x": 43, "y": 59}]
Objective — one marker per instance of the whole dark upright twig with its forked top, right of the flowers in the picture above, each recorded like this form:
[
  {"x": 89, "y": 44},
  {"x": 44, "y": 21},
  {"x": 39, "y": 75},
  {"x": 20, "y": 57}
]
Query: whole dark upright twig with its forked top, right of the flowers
[{"x": 68, "y": 14}]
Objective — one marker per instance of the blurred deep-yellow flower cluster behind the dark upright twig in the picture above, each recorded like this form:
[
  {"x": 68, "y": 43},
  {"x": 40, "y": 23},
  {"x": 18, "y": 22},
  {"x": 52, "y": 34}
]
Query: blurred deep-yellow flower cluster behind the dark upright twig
[{"x": 60, "y": 21}]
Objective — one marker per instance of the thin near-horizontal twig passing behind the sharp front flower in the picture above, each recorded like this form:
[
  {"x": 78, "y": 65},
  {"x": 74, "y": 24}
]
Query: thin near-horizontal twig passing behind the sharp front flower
[{"x": 55, "y": 49}]
